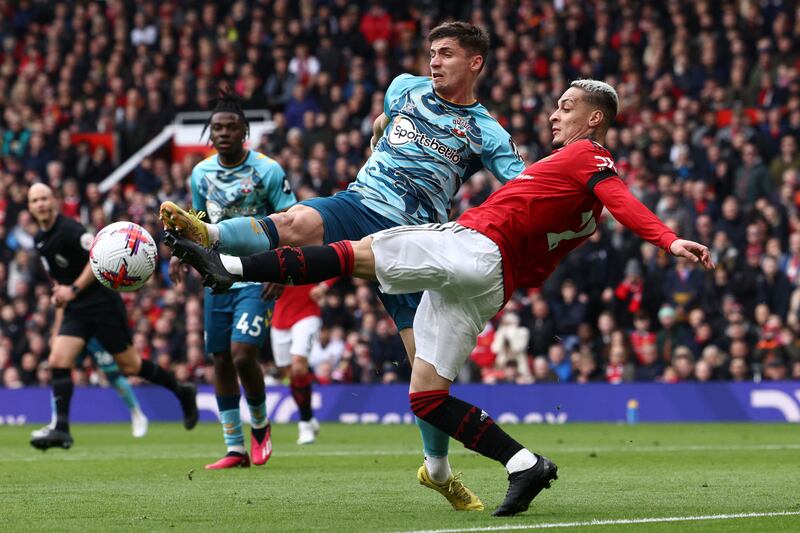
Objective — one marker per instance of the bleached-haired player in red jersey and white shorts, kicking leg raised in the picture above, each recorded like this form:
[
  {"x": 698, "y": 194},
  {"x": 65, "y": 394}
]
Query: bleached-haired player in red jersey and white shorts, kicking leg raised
[{"x": 470, "y": 268}]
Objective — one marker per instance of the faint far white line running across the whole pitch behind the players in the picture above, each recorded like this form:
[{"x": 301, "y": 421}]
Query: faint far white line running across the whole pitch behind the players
[{"x": 129, "y": 453}]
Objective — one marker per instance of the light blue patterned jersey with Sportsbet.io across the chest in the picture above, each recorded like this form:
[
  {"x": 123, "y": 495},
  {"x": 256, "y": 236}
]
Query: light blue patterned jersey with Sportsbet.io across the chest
[{"x": 430, "y": 147}]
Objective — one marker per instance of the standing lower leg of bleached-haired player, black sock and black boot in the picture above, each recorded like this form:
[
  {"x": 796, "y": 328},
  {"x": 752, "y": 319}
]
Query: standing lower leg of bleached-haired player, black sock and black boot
[{"x": 528, "y": 473}]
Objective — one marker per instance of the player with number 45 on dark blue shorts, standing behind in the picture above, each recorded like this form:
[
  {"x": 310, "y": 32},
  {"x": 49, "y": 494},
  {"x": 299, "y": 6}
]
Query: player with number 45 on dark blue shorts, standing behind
[{"x": 237, "y": 182}]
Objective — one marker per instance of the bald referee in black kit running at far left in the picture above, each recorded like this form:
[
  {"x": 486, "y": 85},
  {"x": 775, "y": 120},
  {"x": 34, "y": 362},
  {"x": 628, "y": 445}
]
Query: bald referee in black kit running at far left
[{"x": 89, "y": 310}]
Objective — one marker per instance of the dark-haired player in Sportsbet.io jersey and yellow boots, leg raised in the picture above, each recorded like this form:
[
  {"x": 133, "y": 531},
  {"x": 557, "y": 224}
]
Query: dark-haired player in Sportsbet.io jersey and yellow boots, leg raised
[{"x": 432, "y": 136}]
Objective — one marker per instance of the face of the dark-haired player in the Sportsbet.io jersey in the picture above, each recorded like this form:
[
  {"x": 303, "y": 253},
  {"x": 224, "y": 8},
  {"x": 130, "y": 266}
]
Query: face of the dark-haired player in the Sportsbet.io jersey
[{"x": 452, "y": 67}]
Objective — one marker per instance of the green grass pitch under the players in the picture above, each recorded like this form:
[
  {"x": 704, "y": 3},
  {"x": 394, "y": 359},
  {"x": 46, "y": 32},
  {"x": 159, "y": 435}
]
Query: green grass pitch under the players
[{"x": 363, "y": 478}]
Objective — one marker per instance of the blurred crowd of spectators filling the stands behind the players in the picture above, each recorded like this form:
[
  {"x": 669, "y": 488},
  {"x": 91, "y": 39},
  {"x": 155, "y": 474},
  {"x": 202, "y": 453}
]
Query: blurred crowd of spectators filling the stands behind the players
[{"x": 707, "y": 137}]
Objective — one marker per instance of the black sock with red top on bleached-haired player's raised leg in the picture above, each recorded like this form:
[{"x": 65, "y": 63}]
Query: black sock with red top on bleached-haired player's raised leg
[{"x": 300, "y": 265}]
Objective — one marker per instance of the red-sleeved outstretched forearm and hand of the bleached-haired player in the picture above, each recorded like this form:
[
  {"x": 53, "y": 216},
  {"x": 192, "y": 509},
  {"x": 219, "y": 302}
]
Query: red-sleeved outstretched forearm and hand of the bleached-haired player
[{"x": 631, "y": 213}]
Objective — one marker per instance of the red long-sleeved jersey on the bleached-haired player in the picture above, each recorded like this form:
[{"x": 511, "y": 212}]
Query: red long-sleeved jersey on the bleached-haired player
[{"x": 553, "y": 206}]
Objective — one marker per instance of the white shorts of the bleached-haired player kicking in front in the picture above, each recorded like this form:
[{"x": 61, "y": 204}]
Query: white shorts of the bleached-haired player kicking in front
[{"x": 461, "y": 272}]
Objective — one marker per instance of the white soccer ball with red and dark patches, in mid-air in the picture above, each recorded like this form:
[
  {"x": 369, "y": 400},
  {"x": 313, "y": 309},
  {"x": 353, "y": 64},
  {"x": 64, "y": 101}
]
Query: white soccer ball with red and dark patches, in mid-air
[{"x": 123, "y": 256}]
